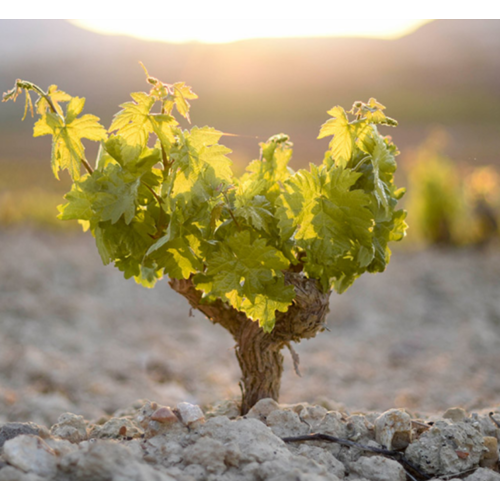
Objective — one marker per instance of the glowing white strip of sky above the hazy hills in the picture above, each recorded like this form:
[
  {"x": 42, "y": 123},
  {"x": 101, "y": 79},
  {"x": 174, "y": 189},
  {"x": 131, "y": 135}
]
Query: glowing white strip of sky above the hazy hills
[{"x": 230, "y": 30}]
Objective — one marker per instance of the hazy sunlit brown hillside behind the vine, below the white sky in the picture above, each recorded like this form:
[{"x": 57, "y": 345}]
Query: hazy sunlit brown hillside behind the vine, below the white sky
[{"x": 446, "y": 73}]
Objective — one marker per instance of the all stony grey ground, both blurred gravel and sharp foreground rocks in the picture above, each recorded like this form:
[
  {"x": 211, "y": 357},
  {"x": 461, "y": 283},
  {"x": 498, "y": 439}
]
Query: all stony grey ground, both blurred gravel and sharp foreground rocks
[{"x": 101, "y": 379}]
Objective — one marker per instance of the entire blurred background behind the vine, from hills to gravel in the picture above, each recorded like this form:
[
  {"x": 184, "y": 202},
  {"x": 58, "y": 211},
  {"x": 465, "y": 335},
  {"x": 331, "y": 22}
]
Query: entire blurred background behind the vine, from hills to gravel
[{"x": 424, "y": 335}]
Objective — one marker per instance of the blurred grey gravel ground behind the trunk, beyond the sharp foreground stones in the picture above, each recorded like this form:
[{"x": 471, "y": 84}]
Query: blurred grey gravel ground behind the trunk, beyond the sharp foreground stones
[{"x": 76, "y": 337}]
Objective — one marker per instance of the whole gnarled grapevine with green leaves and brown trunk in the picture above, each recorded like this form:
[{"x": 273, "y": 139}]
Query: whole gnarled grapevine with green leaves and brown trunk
[{"x": 259, "y": 254}]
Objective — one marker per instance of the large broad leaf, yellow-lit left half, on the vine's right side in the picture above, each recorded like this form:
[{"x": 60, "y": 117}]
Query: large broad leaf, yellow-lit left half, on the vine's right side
[{"x": 328, "y": 220}]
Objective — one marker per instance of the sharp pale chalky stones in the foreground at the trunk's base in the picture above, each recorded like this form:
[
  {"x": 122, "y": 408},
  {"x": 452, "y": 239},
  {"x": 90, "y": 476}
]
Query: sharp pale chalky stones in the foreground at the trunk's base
[{"x": 272, "y": 443}]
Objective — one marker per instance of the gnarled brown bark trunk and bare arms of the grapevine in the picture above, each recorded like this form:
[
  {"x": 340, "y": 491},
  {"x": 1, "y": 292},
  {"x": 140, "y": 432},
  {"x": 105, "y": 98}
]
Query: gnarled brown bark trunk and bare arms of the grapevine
[{"x": 259, "y": 353}]
